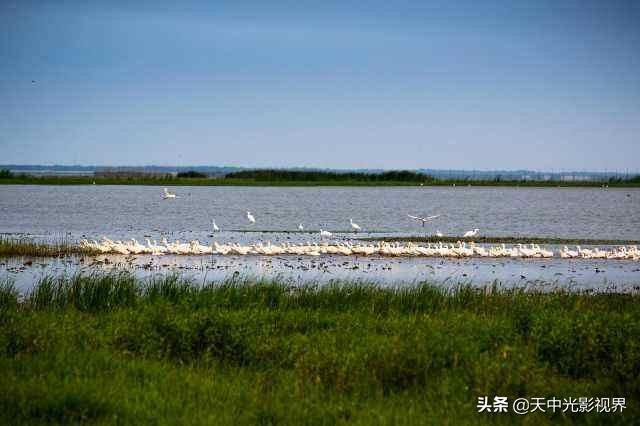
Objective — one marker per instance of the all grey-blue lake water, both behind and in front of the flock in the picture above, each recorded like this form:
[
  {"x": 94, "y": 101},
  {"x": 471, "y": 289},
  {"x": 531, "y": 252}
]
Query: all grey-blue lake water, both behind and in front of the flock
[{"x": 119, "y": 212}]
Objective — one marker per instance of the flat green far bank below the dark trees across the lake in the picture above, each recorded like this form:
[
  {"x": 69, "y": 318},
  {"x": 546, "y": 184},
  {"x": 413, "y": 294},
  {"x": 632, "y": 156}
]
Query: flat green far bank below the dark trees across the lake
[{"x": 174, "y": 181}]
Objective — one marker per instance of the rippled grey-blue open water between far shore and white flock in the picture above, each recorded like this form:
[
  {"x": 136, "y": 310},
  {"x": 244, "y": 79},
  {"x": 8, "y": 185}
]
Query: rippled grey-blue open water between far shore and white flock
[{"x": 135, "y": 211}]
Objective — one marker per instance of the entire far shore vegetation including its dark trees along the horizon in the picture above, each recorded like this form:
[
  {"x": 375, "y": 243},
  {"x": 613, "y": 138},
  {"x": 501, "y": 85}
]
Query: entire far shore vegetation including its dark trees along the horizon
[{"x": 269, "y": 177}]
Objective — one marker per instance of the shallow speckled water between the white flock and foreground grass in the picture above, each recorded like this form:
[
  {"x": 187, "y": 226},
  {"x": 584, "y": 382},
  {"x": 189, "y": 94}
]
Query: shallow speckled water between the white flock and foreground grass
[{"x": 545, "y": 274}]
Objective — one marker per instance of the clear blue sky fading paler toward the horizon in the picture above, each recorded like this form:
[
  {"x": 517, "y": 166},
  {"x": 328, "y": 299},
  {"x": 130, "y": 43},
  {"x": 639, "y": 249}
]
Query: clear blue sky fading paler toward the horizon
[{"x": 541, "y": 85}]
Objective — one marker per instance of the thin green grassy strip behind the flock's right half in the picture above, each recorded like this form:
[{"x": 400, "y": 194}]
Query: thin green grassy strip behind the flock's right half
[{"x": 504, "y": 240}]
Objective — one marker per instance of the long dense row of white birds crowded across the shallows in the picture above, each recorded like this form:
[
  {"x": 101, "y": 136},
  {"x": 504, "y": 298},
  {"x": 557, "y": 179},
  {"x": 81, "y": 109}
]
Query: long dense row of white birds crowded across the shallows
[{"x": 460, "y": 249}]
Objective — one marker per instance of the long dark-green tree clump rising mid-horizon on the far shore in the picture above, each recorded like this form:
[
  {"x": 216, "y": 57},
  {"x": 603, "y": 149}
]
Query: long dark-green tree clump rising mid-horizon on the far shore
[{"x": 274, "y": 175}]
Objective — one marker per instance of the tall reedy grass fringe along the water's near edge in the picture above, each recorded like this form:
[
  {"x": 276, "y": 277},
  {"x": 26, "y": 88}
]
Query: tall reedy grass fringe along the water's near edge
[{"x": 108, "y": 291}]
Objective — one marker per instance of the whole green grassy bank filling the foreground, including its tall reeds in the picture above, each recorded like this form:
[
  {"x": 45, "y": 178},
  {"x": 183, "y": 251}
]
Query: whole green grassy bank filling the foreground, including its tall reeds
[{"x": 111, "y": 349}]
